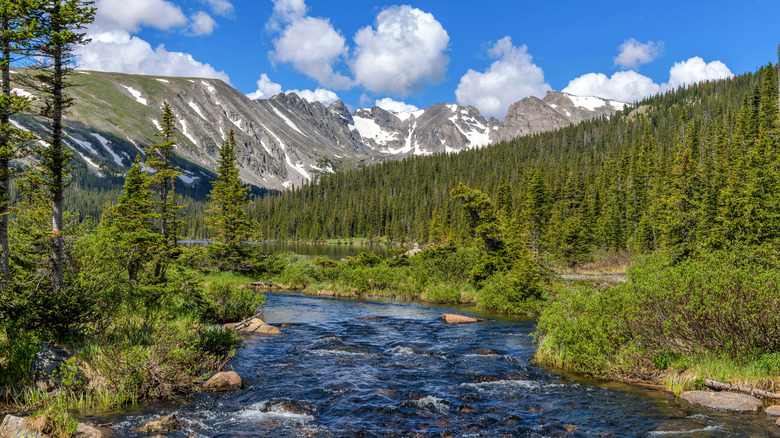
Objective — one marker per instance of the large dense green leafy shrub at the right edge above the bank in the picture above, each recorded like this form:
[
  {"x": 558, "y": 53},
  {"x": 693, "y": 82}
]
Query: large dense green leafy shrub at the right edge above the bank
[{"x": 723, "y": 302}]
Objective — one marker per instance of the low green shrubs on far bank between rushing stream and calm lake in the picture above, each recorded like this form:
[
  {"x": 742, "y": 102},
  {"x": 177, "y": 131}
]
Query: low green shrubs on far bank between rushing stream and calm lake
[{"x": 440, "y": 274}]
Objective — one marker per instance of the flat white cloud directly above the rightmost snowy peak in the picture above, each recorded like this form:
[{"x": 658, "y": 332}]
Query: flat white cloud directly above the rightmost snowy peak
[{"x": 625, "y": 86}]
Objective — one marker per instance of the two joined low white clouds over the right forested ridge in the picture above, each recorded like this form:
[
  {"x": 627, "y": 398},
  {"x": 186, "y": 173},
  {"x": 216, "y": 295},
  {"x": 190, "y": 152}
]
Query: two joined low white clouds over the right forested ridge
[{"x": 630, "y": 86}]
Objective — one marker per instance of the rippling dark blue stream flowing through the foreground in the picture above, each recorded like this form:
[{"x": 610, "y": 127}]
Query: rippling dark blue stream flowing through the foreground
[{"x": 386, "y": 369}]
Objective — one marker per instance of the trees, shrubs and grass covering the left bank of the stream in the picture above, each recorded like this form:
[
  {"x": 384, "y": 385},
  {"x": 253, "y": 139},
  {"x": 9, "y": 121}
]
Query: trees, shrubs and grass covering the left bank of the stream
[{"x": 103, "y": 315}]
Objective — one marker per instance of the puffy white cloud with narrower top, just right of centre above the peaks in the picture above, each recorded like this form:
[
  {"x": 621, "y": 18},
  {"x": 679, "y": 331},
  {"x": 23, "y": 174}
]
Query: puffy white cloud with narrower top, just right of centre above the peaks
[{"x": 513, "y": 76}]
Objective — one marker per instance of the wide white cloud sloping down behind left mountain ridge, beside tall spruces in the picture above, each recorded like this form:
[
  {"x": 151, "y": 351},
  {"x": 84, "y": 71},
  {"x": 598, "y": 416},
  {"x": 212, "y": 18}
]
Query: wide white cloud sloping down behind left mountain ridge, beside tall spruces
[{"x": 118, "y": 51}]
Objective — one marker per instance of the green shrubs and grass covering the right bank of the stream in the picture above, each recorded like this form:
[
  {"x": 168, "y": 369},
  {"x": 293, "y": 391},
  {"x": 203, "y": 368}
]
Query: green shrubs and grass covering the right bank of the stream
[{"x": 676, "y": 323}]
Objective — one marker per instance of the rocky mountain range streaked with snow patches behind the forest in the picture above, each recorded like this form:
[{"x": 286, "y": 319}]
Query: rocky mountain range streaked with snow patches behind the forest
[{"x": 283, "y": 141}]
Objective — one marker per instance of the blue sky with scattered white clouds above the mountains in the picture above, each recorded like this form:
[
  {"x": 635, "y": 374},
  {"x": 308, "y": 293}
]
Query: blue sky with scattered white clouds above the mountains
[{"x": 410, "y": 55}]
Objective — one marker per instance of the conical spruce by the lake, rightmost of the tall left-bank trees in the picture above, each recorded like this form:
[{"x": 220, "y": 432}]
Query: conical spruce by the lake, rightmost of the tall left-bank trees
[{"x": 228, "y": 198}]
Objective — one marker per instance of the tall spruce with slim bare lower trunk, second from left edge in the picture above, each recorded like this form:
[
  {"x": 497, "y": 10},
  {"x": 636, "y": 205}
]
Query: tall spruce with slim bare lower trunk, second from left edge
[{"x": 61, "y": 24}]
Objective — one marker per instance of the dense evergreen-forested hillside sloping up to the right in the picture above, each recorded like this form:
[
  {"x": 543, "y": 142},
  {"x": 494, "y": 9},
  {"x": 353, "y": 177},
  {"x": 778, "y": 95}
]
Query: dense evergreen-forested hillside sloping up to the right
[{"x": 688, "y": 169}]
